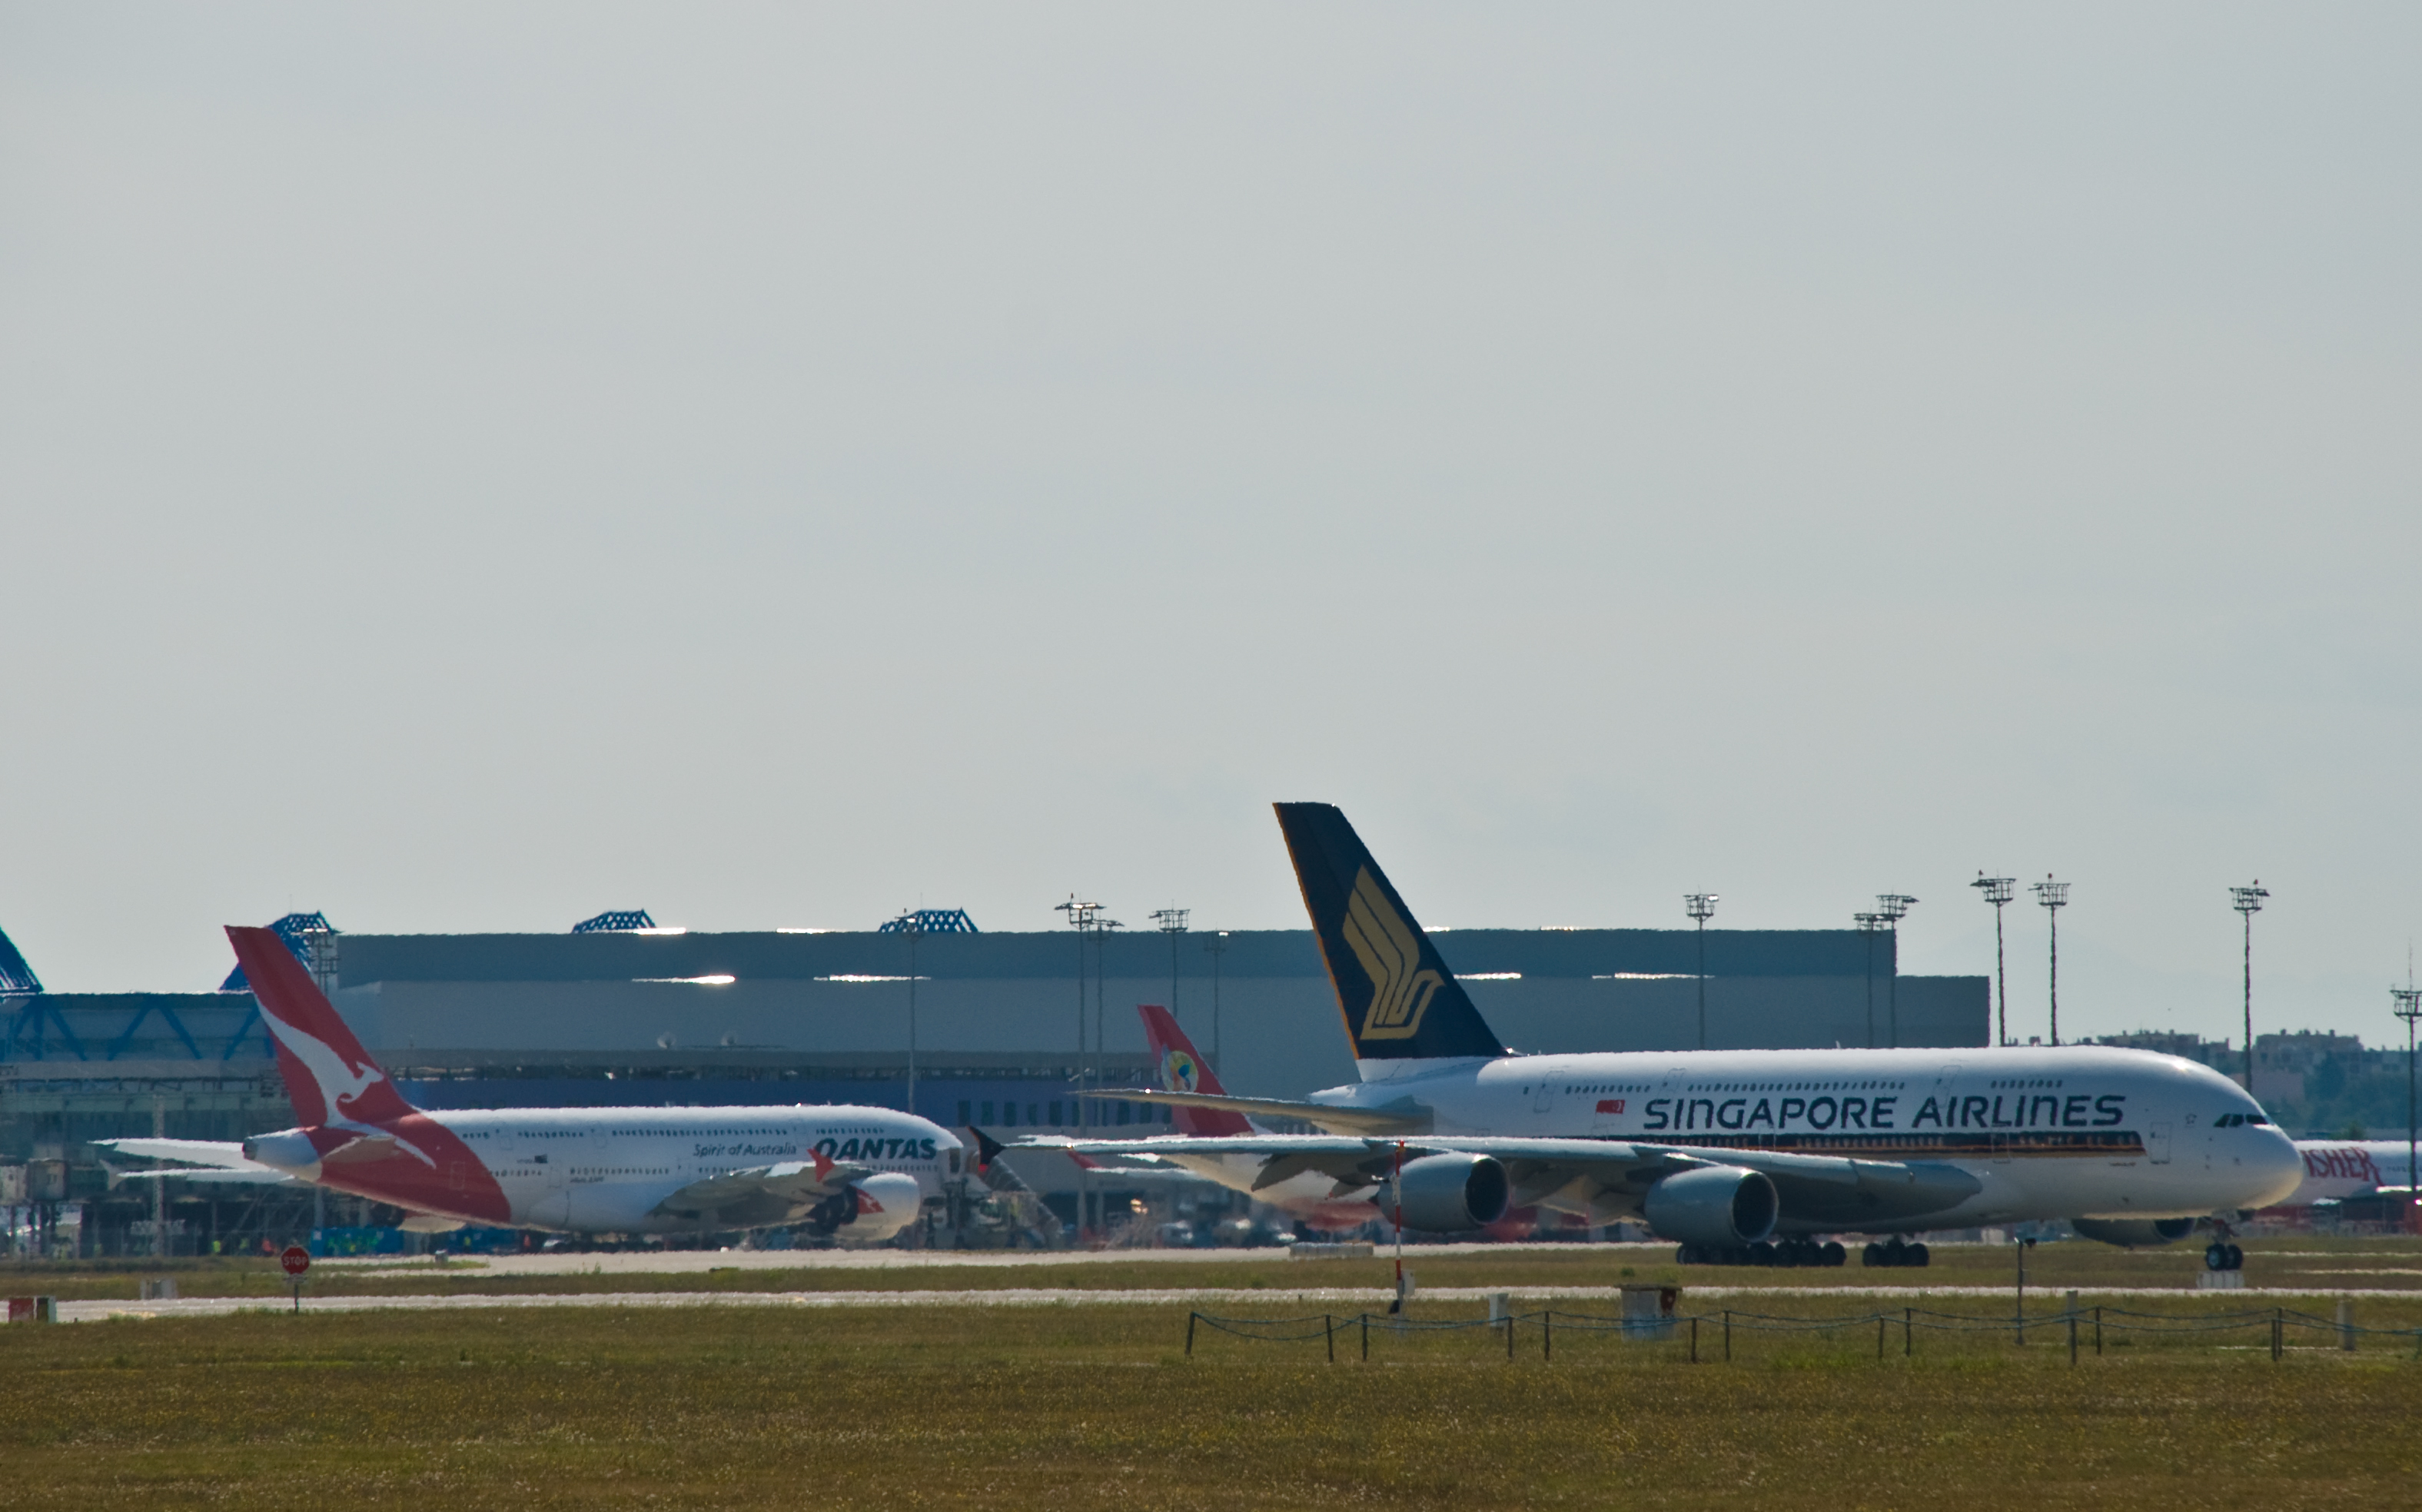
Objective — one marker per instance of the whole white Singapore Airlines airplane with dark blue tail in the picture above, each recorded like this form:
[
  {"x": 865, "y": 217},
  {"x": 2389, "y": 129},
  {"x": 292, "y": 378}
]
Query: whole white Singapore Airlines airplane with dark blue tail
[{"x": 1735, "y": 1155}]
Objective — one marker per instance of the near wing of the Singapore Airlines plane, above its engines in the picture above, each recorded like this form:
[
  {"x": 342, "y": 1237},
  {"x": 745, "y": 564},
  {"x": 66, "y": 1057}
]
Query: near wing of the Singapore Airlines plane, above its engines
[{"x": 1588, "y": 1174}]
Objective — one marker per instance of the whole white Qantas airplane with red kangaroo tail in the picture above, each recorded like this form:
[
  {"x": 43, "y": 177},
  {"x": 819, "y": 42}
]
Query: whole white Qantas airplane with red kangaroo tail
[{"x": 859, "y": 1174}]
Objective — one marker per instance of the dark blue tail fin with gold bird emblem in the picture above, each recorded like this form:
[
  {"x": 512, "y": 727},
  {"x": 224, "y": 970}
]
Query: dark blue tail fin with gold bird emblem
[{"x": 1399, "y": 1000}]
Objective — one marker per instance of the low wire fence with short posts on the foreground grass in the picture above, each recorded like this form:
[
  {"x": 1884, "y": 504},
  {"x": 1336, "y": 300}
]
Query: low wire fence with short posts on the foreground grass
[{"x": 2082, "y": 1329}]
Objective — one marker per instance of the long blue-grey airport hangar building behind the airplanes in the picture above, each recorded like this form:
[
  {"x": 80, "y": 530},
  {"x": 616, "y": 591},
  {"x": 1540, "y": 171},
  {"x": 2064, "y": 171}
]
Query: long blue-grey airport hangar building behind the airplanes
[{"x": 624, "y": 1012}]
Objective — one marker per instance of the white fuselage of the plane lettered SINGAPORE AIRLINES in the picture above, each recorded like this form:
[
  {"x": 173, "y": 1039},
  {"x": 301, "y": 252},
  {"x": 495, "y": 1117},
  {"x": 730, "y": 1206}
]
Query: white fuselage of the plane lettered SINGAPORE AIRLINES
[{"x": 2050, "y": 1133}]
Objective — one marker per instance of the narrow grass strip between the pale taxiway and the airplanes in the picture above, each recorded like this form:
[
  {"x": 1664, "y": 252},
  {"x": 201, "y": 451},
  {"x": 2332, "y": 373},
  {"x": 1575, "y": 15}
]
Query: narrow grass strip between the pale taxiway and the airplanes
[{"x": 2292, "y": 1261}]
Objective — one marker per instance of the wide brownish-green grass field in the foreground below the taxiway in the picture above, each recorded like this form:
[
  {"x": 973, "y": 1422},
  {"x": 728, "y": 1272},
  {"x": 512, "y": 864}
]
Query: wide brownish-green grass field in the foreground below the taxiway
[{"x": 1096, "y": 1407}]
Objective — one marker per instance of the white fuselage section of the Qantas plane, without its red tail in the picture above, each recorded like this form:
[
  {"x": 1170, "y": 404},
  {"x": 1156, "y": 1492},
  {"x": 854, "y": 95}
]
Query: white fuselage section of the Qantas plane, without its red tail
[{"x": 609, "y": 1169}]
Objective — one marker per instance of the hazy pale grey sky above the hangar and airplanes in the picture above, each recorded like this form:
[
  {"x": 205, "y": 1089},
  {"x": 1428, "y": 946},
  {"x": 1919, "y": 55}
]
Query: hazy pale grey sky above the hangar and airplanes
[{"x": 464, "y": 469}]
